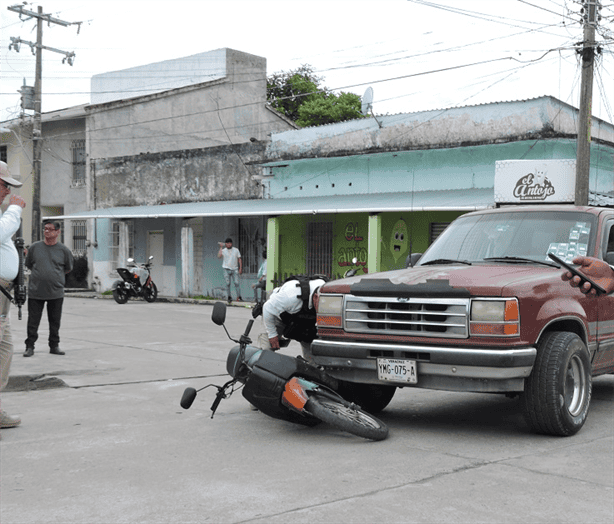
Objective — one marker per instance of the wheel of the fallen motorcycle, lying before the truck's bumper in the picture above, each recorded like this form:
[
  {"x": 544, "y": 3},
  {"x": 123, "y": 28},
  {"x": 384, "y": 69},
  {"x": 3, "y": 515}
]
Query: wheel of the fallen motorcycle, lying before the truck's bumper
[{"x": 345, "y": 416}]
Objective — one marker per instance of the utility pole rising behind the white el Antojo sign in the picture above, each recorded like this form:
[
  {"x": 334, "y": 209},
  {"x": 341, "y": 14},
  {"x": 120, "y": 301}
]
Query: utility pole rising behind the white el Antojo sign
[{"x": 583, "y": 155}]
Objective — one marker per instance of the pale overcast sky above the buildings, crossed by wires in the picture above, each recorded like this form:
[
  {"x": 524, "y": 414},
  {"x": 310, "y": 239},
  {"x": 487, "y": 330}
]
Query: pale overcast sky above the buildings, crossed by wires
[{"x": 415, "y": 54}]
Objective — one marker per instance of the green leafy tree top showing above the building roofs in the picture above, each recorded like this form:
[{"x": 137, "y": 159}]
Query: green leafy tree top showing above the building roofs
[{"x": 299, "y": 95}]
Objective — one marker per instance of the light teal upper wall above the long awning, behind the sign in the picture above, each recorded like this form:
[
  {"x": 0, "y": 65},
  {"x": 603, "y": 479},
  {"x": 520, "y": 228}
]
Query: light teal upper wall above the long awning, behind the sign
[{"x": 435, "y": 169}]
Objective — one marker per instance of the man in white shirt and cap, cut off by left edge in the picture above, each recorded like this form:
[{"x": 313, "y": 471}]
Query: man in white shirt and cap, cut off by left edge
[{"x": 9, "y": 265}]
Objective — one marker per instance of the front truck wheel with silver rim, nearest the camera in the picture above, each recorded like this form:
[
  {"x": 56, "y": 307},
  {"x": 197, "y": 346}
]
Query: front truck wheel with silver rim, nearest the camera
[{"x": 557, "y": 394}]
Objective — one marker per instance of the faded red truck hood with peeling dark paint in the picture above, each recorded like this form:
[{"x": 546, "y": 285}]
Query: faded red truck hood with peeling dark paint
[{"x": 448, "y": 279}]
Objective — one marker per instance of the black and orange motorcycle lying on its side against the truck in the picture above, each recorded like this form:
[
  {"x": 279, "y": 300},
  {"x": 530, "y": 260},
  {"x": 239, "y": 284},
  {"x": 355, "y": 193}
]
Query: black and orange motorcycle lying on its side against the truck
[{"x": 286, "y": 388}]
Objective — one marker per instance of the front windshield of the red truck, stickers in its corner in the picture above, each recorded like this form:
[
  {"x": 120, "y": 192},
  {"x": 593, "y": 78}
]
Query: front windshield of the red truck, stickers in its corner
[{"x": 516, "y": 237}]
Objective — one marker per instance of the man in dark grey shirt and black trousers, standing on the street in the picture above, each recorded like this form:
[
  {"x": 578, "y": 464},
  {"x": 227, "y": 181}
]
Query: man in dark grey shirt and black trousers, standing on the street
[{"x": 49, "y": 261}]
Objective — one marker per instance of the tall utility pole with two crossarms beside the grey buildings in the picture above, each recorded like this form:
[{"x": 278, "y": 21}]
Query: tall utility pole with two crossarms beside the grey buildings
[{"x": 37, "y": 139}]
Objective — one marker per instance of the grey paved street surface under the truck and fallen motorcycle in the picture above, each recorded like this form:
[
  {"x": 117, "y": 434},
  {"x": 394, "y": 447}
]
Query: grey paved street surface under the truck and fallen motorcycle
[{"x": 112, "y": 445}]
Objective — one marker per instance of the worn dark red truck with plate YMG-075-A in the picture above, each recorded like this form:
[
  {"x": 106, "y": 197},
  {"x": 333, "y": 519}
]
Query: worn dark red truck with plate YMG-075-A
[{"x": 484, "y": 309}]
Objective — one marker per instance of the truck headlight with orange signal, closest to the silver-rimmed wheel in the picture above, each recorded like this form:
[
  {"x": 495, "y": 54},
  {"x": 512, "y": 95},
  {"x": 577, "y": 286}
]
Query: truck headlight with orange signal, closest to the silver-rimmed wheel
[{"x": 497, "y": 317}]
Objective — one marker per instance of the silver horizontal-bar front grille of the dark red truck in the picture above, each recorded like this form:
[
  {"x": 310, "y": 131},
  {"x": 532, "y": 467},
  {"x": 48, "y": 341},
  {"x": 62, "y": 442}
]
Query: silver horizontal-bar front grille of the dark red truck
[{"x": 423, "y": 317}]
